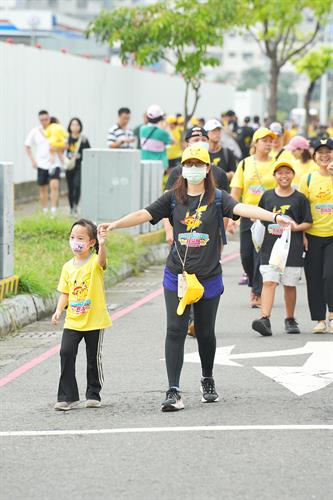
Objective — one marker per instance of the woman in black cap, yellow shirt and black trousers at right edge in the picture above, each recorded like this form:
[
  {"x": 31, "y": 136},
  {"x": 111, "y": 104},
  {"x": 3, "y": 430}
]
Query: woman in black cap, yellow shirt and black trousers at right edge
[{"x": 318, "y": 188}]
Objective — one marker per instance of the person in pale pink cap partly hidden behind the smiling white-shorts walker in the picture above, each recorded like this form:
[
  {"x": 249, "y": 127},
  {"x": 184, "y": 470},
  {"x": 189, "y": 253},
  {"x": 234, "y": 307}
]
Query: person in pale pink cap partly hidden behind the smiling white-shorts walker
[{"x": 302, "y": 161}]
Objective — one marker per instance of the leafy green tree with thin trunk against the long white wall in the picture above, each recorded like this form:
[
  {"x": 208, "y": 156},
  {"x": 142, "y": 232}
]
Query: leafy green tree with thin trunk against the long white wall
[{"x": 179, "y": 32}]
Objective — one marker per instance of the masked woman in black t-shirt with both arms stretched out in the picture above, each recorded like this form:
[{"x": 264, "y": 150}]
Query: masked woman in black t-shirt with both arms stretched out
[{"x": 191, "y": 207}]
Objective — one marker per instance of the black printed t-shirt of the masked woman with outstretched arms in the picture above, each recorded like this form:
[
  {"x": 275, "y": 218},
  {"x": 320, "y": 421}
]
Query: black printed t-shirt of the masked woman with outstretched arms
[{"x": 204, "y": 252}]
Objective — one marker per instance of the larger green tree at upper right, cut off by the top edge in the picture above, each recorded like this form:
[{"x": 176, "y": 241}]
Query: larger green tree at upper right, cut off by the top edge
[{"x": 278, "y": 26}]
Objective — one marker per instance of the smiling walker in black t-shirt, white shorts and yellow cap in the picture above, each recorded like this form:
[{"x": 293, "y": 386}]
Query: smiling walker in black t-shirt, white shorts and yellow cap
[{"x": 288, "y": 202}]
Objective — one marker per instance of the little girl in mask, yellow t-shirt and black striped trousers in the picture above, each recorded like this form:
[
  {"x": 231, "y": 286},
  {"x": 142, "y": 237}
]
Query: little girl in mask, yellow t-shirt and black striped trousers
[{"x": 81, "y": 287}]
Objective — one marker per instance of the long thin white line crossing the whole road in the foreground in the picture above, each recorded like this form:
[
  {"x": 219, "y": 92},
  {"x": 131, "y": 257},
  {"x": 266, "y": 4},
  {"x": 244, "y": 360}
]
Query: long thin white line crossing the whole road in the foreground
[{"x": 143, "y": 430}]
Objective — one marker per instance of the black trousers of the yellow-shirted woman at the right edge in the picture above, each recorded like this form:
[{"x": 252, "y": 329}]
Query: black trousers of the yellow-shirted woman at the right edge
[{"x": 318, "y": 268}]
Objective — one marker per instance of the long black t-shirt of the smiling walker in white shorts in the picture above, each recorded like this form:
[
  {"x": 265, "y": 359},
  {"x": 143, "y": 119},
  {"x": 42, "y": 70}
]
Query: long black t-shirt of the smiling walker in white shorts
[{"x": 295, "y": 206}]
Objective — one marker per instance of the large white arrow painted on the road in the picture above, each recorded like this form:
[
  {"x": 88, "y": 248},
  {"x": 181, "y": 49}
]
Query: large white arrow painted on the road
[{"x": 315, "y": 374}]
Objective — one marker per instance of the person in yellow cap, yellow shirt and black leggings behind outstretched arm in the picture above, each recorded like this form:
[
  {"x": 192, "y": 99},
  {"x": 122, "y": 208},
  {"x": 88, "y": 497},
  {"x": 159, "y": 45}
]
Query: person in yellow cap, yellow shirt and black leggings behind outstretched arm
[{"x": 254, "y": 175}]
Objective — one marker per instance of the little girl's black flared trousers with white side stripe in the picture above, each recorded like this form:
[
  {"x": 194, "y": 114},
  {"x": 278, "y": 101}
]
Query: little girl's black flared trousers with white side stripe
[{"x": 68, "y": 390}]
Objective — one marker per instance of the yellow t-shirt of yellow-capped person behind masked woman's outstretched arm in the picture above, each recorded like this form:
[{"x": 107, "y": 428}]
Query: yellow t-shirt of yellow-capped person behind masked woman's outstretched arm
[{"x": 254, "y": 178}]
